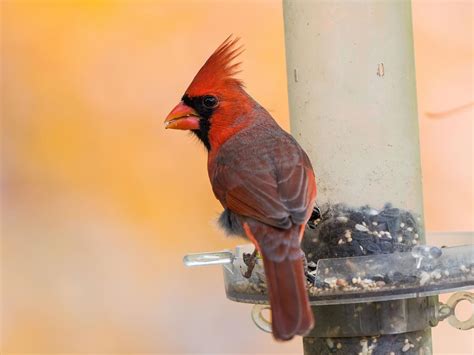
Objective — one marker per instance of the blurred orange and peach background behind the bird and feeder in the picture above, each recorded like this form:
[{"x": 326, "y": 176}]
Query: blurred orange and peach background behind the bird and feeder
[{"x": 100, "y": 203}]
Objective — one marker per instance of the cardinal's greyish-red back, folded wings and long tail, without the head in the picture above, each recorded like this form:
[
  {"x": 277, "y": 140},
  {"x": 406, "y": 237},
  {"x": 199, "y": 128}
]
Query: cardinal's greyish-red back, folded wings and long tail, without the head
[{"x": 263, "y": 176}]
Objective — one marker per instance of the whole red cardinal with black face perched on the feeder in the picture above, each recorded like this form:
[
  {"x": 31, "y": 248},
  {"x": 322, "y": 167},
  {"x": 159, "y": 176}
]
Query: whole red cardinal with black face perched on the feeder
[{"x": 260, "y": 175}]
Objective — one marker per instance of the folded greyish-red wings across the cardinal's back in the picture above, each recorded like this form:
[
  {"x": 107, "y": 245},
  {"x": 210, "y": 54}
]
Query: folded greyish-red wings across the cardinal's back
[{"x": 279, "y": 191}]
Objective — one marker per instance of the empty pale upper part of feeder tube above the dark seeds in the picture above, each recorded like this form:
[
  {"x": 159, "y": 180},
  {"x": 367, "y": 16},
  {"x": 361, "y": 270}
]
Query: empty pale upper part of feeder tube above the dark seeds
[{"x": 352, "y": 95}]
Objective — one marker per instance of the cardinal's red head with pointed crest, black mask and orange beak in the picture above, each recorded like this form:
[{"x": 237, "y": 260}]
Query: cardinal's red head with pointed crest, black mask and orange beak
[{"x": 214, "y": 99}]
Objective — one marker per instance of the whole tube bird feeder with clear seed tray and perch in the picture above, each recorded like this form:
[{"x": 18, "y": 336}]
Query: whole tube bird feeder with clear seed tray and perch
[{"x": 374, "y": 283}]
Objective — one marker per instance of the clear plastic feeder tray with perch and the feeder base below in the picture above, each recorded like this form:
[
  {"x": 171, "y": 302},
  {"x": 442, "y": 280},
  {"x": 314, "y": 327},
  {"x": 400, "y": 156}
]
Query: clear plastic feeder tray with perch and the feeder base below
[{"x": 368, "y": 296}]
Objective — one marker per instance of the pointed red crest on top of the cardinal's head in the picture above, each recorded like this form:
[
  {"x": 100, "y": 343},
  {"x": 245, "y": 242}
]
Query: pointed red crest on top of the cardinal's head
[{"x": 218, "y": 71}]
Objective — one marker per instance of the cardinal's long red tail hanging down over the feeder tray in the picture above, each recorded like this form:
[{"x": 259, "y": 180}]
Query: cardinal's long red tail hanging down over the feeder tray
[{"x": 284, "y": 271}]
